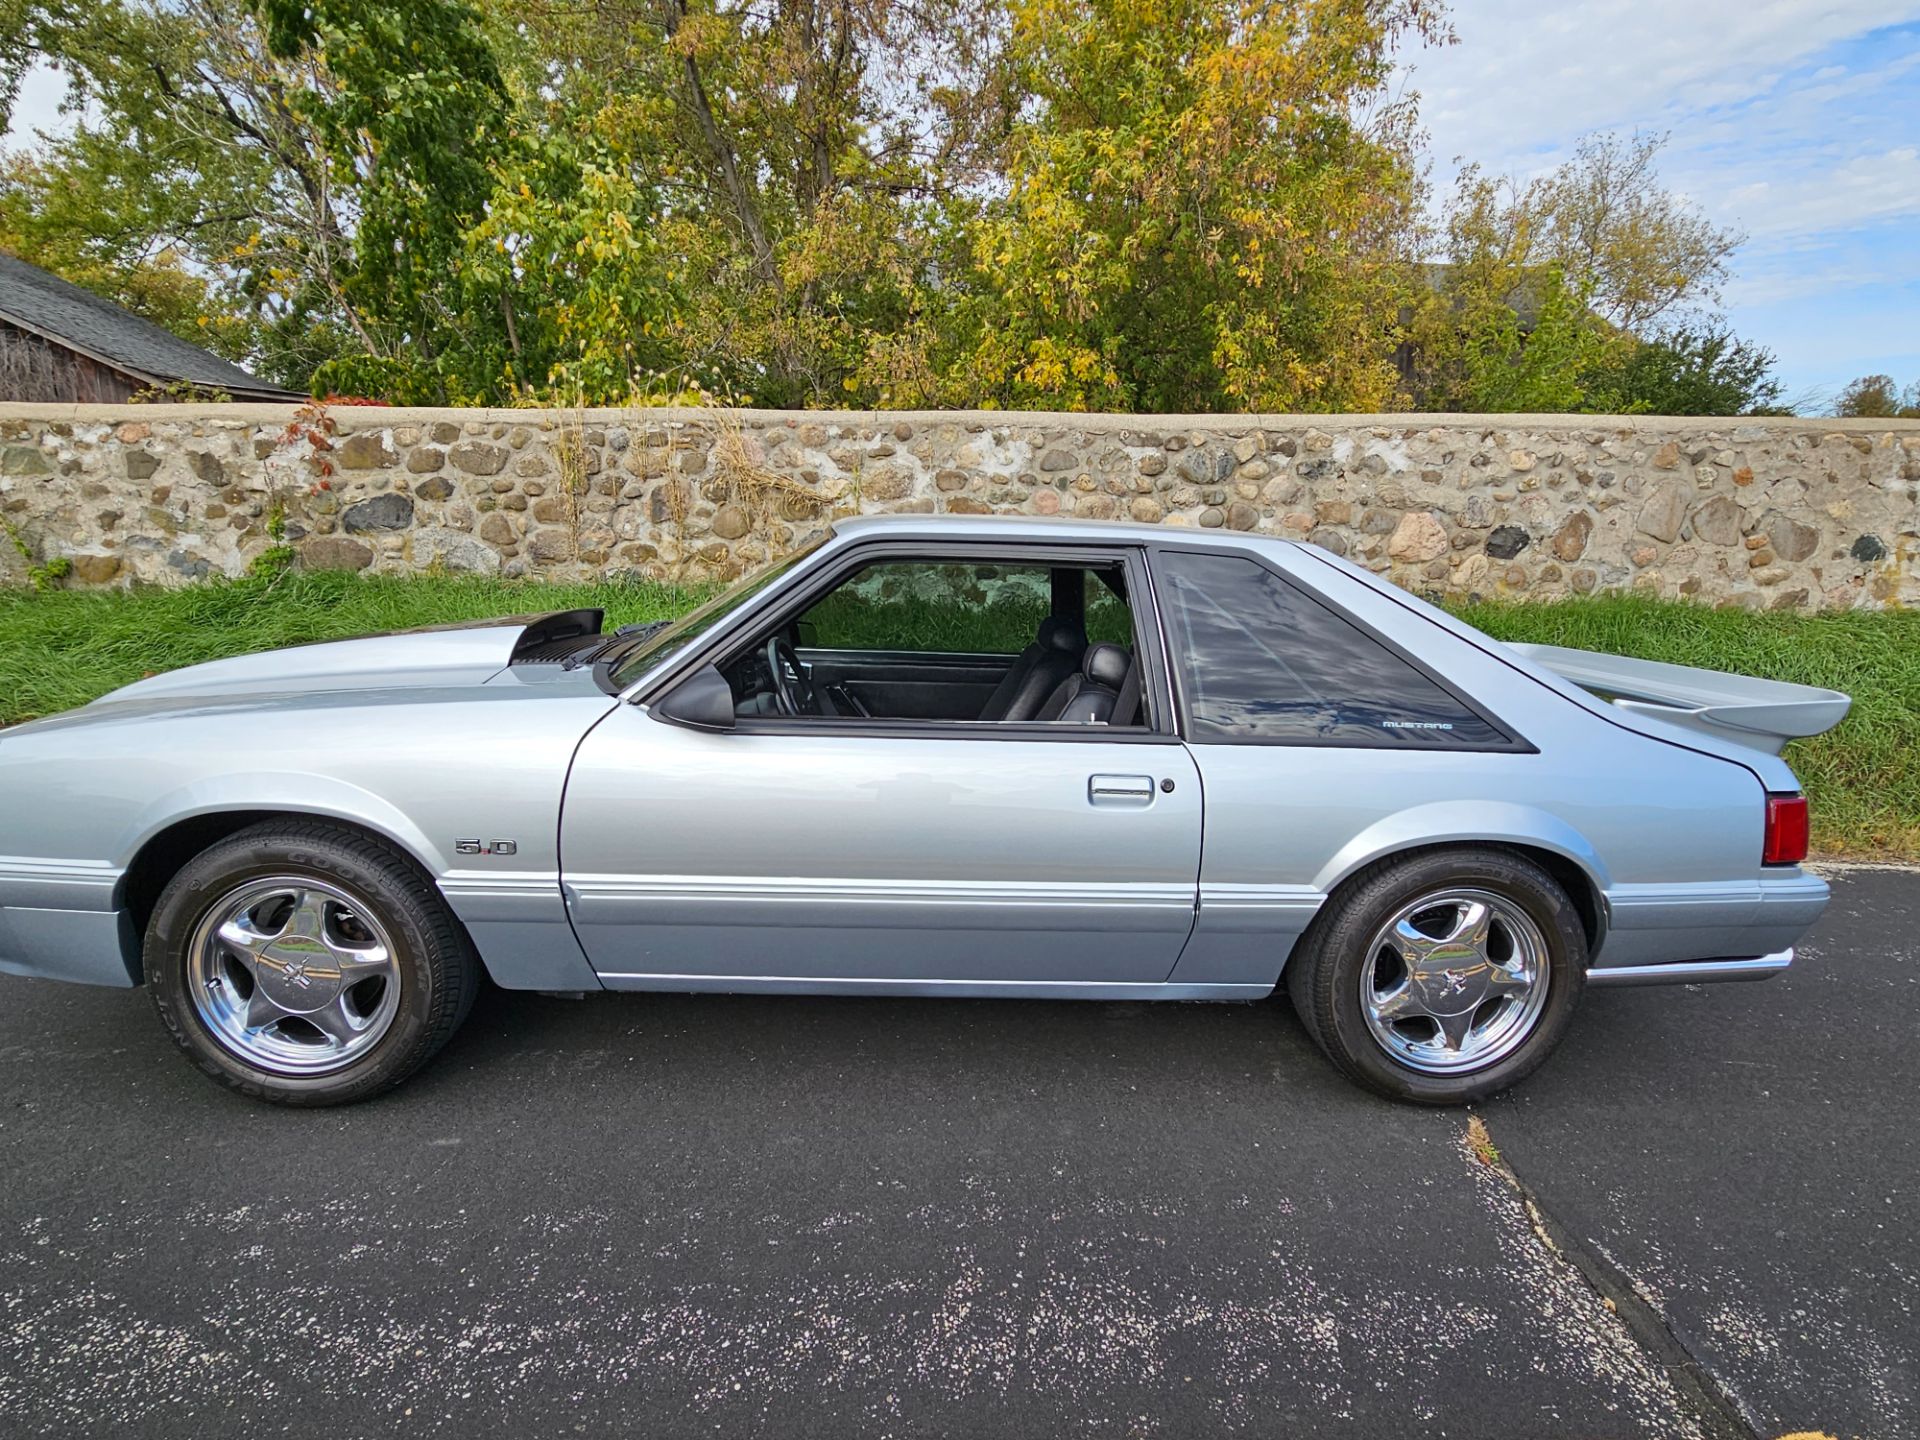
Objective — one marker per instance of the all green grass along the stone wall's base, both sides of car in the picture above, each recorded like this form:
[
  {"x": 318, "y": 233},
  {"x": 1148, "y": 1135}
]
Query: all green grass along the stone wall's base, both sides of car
[{"x": 66, "y": 648}]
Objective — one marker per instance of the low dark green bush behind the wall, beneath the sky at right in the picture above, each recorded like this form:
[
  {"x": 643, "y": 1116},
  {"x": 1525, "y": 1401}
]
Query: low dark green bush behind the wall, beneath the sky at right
[{"x": 1691, "y": 370}]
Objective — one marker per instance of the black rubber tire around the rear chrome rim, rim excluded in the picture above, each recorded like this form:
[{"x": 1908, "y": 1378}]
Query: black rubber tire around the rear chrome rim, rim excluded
[{"x": 1330, "y": 967}]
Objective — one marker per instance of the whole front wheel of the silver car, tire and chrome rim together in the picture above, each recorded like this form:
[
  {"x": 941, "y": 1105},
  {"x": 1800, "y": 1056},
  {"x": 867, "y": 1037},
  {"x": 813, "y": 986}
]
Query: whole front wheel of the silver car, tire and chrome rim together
[{"x": 308, "y": 965}]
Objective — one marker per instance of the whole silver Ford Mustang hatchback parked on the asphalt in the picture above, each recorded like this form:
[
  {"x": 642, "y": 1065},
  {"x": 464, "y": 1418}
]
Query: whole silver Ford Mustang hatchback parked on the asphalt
[{"x": 921, "y": 757}]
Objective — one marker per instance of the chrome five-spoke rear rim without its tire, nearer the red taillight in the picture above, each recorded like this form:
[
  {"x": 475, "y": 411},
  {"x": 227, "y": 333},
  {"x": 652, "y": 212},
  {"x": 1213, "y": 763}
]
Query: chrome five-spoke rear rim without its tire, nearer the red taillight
[{"x": 1454, "y": 980}]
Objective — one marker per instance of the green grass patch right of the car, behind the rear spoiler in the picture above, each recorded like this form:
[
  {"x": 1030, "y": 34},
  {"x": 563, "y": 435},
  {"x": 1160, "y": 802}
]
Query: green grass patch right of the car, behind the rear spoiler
[{"x": 1863, "y": 779}]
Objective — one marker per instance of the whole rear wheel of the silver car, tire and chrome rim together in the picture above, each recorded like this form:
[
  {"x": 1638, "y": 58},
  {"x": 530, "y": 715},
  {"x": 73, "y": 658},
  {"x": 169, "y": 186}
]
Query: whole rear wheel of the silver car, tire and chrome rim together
[{"x": 1443, "y": 978}]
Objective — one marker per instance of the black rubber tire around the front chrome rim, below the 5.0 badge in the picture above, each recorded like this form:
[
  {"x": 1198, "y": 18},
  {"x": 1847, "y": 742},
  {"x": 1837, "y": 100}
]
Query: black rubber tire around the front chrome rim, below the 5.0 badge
[{"x": 437, "y": 972}]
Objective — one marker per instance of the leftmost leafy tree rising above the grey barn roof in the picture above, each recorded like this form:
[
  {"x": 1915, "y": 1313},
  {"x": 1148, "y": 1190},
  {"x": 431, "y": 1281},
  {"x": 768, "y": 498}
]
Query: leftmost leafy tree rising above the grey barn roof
[{"x": 187, "y": 143}]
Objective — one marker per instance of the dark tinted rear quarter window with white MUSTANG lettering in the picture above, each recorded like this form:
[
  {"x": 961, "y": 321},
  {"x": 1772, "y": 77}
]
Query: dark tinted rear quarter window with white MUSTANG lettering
[{"x": 1260, "y": 660}]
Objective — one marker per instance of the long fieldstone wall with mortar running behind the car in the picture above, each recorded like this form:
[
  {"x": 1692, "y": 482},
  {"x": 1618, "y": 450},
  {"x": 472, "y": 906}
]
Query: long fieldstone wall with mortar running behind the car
[{"x": 1762, "y": 514}]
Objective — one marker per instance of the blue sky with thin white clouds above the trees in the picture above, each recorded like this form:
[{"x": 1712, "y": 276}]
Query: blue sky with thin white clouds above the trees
[{"x": 1796, "y": 122}]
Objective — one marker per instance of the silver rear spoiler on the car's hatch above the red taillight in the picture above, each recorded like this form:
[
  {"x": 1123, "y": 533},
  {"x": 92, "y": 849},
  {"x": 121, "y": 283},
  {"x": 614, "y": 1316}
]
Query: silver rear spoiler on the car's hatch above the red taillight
[{"x": 1760, "y": 713}]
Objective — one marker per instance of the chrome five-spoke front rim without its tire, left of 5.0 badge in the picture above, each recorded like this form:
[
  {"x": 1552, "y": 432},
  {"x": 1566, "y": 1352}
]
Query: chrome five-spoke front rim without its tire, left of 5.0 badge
[{"x": 293, "y": 974}]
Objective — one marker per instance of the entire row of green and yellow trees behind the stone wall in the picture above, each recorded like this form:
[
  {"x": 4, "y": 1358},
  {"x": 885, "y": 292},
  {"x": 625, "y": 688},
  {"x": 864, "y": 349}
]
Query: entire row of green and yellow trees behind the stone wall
[{"x": 1061, "y": 204}]
